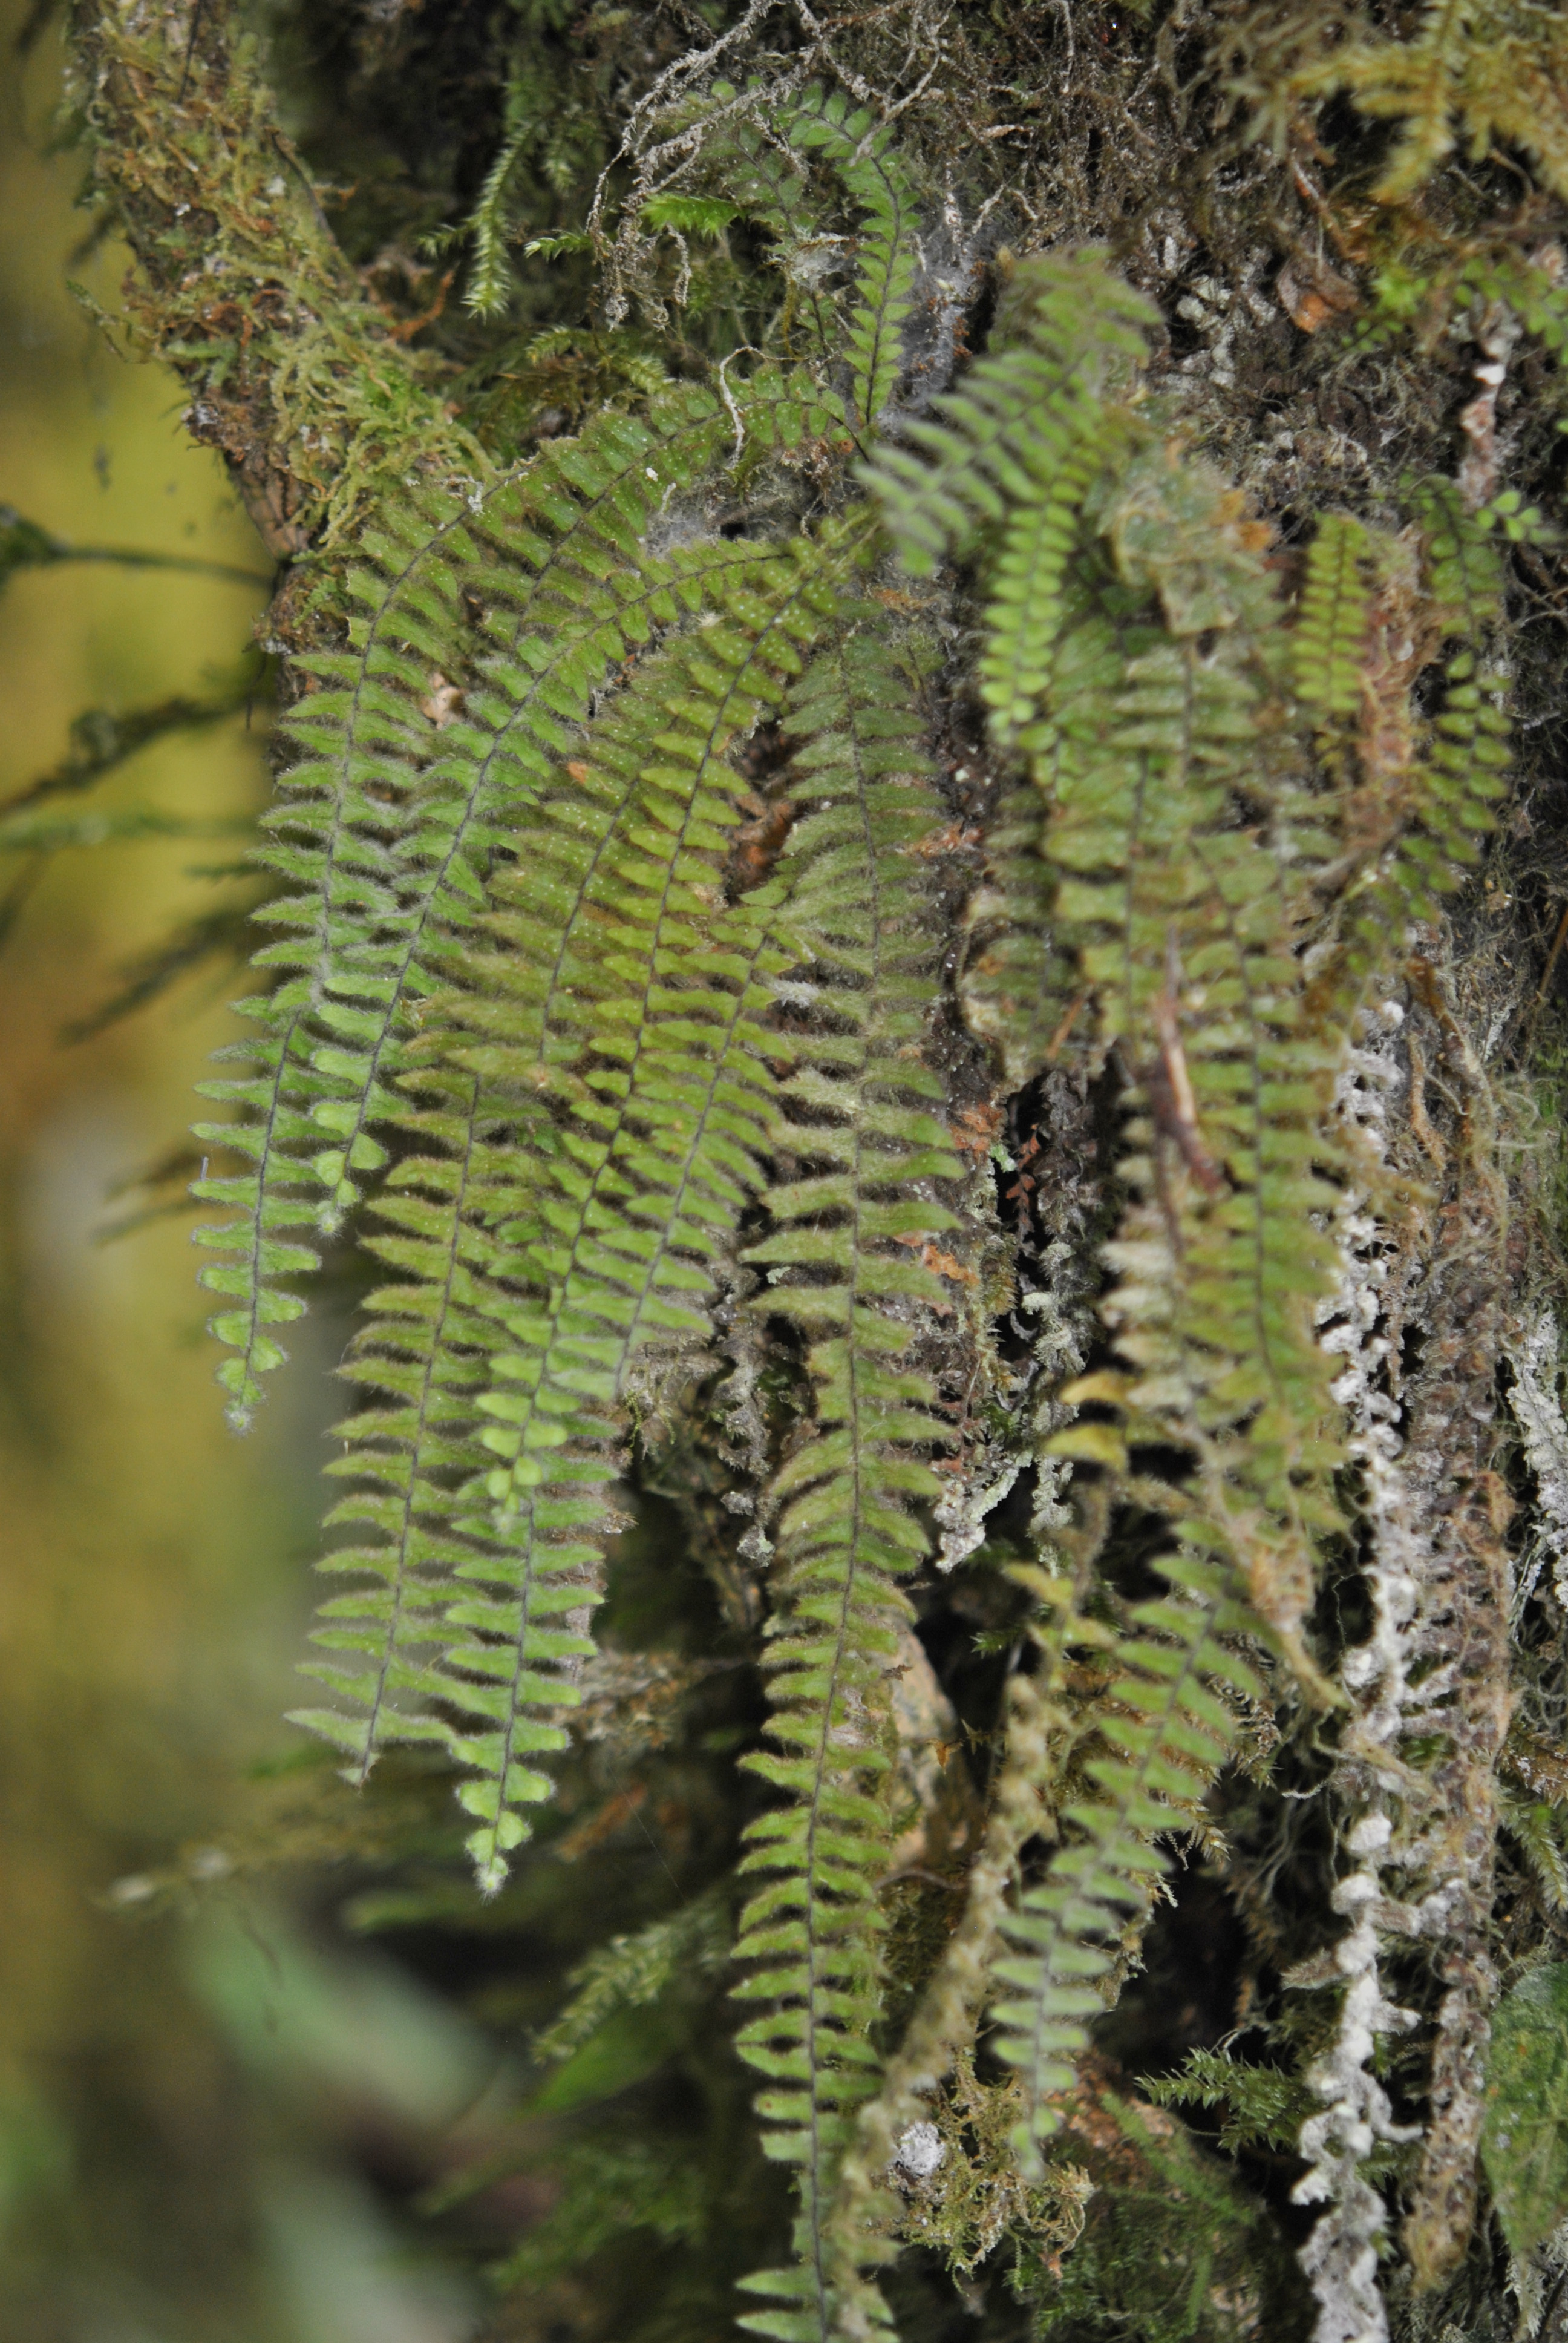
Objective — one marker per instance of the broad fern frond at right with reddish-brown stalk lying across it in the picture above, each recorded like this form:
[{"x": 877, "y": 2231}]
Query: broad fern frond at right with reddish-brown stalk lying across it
[{"x": 1185, "y": 927}]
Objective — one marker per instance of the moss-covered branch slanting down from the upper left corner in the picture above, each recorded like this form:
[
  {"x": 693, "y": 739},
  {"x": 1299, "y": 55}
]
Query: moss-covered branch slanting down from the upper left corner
[{"x": 311, "y": 395}]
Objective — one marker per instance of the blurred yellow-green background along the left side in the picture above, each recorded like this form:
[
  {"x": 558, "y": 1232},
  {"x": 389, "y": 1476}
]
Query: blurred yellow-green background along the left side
[{"x": 210, "y": 2112}]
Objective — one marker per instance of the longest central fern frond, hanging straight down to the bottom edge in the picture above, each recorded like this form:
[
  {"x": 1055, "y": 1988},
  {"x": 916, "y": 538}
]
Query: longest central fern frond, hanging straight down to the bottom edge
[{"x": 847, "y": 1269}]
